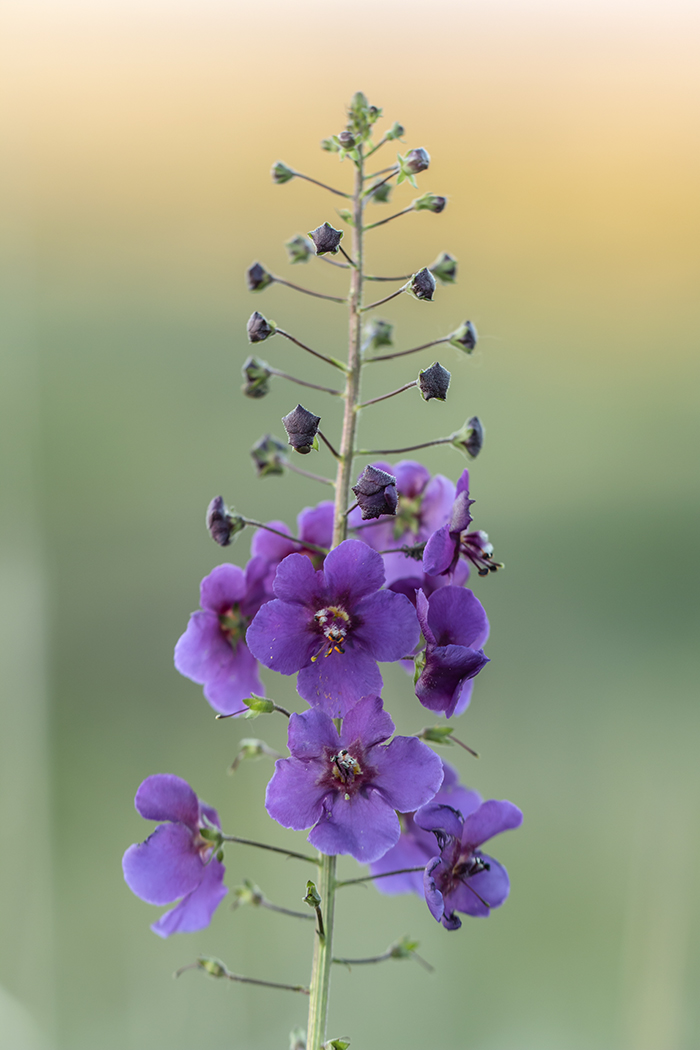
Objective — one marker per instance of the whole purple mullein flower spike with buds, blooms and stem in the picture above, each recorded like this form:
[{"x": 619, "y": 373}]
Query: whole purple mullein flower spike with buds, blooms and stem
[{"x": 377, "y": 575}]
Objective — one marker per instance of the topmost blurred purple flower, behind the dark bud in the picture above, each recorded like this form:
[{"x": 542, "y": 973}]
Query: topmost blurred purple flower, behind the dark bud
[{"x": 425, "y": 506}]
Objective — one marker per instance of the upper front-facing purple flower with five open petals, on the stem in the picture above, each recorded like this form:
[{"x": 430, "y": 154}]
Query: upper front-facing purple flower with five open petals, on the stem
[{"x": 333, "y": 626}]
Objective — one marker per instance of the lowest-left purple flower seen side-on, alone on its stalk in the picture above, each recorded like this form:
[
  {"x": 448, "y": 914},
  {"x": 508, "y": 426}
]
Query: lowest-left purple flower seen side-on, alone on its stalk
[{"x": 175, "y": 862}]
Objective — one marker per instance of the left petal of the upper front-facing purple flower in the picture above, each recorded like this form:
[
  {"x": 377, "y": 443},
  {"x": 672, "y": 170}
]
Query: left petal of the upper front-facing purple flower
[{"x": 282, "y": 636}]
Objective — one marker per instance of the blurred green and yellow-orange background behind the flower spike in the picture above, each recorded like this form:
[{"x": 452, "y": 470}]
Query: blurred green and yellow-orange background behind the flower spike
[{"x": 139, "y": 140}]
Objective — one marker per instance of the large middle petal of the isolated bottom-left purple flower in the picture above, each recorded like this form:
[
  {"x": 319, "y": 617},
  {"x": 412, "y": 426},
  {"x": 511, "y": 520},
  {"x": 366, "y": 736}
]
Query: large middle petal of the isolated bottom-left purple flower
[{"x": 165, "y": 867}]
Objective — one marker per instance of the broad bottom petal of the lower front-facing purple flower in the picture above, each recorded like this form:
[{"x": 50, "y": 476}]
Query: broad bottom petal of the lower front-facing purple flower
[{"x": 363, "y": 826}]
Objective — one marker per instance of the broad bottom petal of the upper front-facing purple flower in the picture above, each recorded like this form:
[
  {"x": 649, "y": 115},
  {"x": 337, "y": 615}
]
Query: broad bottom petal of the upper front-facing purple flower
[{"x": 335, "y": 683}]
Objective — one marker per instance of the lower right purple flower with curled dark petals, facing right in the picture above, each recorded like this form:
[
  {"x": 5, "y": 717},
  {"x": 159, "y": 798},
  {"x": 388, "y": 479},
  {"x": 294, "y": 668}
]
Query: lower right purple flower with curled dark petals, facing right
[{"x": 462, "y": 878}]
